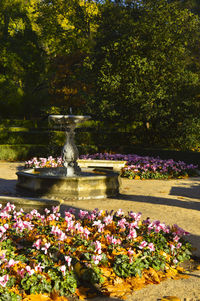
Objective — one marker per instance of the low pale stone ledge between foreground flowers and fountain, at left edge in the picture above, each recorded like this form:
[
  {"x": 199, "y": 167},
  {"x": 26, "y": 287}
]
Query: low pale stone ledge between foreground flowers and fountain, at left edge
[{"x": 28, "y": 204}]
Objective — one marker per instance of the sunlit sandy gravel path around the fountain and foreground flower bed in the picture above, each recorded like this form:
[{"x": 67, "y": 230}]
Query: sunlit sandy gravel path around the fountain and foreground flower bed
[{"x": 172, "y": 202}]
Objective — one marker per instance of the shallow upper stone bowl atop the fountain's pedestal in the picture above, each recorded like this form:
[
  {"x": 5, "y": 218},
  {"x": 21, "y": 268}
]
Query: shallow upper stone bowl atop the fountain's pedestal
[{"x": 68, "y": 119}]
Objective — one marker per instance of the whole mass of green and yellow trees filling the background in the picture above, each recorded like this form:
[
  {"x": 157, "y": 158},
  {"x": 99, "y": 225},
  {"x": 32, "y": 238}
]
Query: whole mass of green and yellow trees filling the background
[{"x": 131, "y": 64}]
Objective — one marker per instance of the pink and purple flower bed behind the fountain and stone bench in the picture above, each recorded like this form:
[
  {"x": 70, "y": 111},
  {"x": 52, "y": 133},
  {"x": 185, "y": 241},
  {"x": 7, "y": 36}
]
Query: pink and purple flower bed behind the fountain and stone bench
[{"x": 137, "y": 167}]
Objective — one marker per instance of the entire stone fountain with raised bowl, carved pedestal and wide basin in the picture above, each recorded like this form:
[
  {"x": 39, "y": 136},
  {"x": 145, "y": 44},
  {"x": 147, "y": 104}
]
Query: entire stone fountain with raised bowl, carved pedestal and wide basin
[{"x": 68, "y": 182}]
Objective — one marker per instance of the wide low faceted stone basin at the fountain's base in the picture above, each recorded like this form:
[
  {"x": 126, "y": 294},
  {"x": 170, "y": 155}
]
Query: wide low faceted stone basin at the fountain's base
[{"x": 51, "y": 182}]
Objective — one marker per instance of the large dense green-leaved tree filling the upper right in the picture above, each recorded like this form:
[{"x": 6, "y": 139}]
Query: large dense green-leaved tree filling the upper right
[{"x": 143, "y": 67}]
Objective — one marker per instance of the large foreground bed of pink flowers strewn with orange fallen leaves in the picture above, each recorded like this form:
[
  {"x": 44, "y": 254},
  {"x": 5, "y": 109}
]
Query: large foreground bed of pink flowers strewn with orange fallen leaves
[{"x": 55, "y": 256}]
